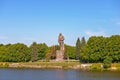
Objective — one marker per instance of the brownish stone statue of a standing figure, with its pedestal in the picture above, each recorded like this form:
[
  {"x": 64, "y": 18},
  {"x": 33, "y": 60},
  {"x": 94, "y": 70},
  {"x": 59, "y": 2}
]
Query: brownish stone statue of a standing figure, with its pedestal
[{"x": 60, "y": 53}]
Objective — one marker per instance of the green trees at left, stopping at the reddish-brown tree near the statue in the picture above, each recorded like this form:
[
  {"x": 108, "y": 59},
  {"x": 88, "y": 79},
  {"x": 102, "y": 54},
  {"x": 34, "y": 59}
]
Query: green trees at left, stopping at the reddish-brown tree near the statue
[{"x": 21, "y": 53}]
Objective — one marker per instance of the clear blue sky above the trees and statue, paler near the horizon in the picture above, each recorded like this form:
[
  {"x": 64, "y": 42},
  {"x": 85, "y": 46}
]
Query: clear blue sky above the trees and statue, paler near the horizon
[{"x": 26, "y": 21}]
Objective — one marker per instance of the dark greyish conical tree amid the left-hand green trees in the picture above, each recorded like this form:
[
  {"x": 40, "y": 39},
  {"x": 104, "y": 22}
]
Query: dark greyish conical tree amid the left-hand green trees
[{"x": 34, "y": 51}]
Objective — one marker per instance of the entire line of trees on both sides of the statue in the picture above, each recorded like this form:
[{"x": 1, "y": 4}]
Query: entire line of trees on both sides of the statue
[{"x": 96, "y": 49}]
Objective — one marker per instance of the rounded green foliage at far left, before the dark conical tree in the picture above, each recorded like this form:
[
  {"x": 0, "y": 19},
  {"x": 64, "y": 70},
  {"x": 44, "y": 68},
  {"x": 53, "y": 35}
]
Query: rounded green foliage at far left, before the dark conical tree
[{"x": 14, "y": 53}]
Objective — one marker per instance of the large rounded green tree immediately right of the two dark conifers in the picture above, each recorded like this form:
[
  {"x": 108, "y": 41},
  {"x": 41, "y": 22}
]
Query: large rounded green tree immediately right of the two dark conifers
[{"x": 95, "y": 48}]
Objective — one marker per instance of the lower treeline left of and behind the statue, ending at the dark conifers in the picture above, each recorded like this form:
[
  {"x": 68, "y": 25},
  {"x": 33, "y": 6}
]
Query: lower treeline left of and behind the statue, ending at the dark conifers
[{"x": 20, "y": 52}]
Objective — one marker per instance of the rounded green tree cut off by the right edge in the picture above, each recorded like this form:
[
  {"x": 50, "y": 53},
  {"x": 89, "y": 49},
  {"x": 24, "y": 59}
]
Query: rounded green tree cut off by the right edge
[{"x": 113, "y": 47}]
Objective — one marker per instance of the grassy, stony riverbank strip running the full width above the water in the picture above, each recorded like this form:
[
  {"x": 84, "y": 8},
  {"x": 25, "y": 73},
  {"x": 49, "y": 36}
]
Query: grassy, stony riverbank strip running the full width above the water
[{"x": 60, "y": 65}]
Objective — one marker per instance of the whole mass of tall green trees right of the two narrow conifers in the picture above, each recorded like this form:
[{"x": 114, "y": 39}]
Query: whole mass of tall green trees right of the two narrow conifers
[{"x": 99, "y": 48}]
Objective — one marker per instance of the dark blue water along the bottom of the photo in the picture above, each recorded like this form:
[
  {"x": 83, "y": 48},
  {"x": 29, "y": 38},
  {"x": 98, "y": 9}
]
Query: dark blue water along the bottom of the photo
[{"x": 56, "y": 74}]
